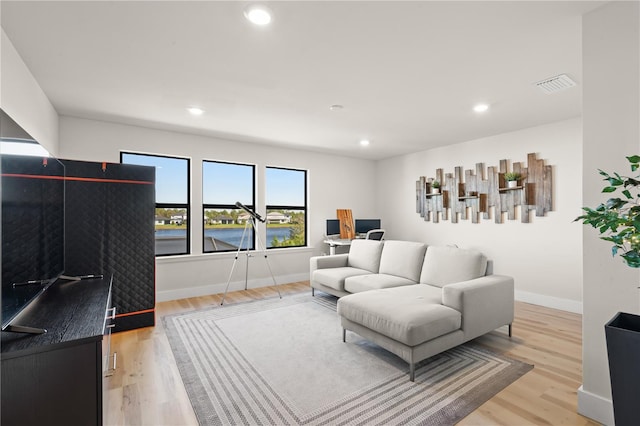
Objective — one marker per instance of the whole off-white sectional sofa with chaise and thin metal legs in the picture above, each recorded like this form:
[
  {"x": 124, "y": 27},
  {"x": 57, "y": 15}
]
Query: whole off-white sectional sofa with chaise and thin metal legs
[{"x": 413, "y": 300}]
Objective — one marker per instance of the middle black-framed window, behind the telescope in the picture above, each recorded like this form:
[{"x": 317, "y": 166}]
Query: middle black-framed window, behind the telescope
[{"x": 226, "y": 226}]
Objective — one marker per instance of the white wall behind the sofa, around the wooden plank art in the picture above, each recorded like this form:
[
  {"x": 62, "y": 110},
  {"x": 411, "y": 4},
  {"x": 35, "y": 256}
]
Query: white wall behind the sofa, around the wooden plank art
[{"x": 544, "y": 256}]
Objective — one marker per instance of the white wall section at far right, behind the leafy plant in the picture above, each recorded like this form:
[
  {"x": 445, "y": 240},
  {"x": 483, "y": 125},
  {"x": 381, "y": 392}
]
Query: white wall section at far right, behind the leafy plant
[{"x": 611, "y": 115}]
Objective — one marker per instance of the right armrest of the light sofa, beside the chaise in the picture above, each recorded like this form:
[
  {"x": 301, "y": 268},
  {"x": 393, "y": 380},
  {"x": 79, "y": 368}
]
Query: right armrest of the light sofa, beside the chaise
[{"x": 486, "y": 303}]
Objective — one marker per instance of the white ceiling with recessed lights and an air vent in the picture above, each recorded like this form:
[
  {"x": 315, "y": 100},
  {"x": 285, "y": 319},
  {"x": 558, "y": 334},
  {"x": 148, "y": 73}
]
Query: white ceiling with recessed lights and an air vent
[{"x": 407, "y": 73}]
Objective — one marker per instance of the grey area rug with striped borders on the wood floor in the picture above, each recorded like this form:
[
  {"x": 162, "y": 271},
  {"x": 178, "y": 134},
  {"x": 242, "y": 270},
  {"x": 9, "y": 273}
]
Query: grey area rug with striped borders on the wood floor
[{"x": 283, "y": 362}]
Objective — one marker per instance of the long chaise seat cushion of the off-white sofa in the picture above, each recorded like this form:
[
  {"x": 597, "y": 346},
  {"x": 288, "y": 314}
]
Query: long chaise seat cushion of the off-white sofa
[{"x": 399, "y": 314}]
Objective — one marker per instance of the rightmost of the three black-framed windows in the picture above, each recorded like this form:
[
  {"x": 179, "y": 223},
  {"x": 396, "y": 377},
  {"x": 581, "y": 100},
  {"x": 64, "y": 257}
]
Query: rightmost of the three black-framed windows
[{"x": 286, "y": 197}]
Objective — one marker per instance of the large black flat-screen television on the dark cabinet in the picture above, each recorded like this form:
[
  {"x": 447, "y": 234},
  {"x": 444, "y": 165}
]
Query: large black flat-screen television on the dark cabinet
[{"x": 32, "y": 230}]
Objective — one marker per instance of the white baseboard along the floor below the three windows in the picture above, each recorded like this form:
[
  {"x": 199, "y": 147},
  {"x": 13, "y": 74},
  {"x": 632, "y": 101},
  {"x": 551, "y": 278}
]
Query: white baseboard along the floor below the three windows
[{"x": 204, "y": 290}]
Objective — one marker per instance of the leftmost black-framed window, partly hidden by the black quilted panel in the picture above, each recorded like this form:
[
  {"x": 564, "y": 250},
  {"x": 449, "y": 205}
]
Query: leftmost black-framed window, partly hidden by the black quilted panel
[{"x": 172, "y": 200}]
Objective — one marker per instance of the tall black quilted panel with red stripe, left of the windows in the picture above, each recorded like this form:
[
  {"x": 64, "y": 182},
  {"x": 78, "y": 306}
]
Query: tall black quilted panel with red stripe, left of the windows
[{"x": 110, "y": 230}]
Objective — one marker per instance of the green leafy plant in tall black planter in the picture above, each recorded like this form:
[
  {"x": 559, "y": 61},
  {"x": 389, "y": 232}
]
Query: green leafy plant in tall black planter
[{"x": 618, "y": 221}]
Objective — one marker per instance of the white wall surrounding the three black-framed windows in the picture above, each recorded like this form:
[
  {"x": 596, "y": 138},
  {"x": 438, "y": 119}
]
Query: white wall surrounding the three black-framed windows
[{"x": 334, "y": 183}]
